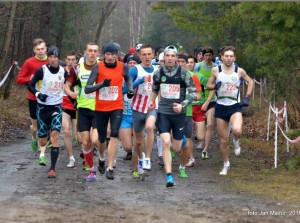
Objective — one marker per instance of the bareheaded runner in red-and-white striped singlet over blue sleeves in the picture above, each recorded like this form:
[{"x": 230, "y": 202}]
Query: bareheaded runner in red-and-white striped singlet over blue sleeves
[{"x": 143, "y": 121}]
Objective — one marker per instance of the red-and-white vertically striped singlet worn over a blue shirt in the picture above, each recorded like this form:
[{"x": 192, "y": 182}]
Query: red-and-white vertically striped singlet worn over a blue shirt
[{"x": 143, "y": 91}]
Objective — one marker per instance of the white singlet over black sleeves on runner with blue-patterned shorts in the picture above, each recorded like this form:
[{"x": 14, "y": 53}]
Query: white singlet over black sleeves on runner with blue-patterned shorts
[{"x": 52, "y": 85}]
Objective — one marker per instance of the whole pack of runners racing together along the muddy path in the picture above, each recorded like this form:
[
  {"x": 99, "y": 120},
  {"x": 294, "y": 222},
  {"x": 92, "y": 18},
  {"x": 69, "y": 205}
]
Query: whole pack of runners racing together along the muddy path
[{"x": 162, "y": 92}]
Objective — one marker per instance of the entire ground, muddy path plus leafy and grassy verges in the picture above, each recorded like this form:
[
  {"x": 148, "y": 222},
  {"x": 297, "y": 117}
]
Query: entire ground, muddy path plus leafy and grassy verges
[{"x": 253, "y": 190}]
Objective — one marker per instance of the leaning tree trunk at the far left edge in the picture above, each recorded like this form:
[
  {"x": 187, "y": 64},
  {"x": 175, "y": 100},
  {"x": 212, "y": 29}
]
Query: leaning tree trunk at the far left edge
[{"x": 4, "y": 60}]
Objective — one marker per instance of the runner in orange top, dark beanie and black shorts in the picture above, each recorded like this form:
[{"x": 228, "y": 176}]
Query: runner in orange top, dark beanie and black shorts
[{"x": 108, "y": 77}]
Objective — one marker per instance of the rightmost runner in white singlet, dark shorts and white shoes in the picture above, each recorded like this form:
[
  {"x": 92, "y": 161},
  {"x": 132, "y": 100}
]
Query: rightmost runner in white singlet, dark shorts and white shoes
[{"x": 225, "y": 79}]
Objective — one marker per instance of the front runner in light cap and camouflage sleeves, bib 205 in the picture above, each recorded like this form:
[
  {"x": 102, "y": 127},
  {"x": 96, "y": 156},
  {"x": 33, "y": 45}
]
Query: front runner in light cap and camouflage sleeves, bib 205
[{"x": 171, "y": 82}]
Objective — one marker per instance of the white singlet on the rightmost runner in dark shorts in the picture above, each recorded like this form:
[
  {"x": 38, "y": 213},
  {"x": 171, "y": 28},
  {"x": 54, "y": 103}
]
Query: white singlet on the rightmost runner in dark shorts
[{"x": 228, "y": 93}]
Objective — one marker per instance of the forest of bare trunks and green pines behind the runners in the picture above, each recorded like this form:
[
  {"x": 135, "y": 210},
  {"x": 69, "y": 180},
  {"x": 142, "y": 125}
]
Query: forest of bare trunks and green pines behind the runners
[{"x": 265, "y": 34}]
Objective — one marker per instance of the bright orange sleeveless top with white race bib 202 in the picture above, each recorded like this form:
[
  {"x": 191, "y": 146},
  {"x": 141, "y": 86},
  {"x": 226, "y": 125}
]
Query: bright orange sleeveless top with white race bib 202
[{"x": 110, "y": 98}]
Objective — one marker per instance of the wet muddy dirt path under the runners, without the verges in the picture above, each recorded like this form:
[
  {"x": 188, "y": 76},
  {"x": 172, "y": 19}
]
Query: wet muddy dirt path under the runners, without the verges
[{"x": 27, "y": 195}]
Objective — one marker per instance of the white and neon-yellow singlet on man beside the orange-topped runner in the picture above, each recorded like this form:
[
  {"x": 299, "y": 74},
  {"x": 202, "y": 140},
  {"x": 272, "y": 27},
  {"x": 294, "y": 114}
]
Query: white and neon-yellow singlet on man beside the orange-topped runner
[{"x": 85, "y": 100}]
